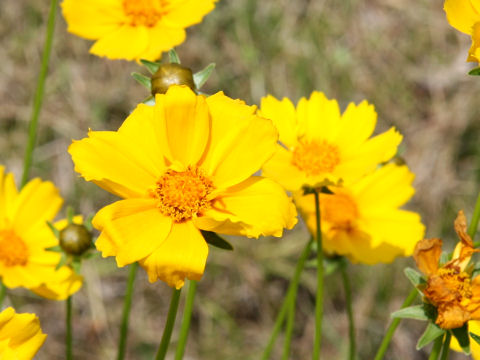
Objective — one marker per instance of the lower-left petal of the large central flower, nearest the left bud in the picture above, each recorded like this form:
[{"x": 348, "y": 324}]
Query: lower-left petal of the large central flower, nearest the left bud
[{"x": 134, "y": 228}]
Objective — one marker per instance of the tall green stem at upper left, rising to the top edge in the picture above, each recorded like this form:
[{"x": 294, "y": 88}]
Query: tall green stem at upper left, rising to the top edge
[{"x": 39, "y": 92}]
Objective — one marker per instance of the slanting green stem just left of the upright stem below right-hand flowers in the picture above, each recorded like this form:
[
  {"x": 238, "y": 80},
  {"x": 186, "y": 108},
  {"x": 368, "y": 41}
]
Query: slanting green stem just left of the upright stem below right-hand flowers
[{"x": 283, "y": 310}]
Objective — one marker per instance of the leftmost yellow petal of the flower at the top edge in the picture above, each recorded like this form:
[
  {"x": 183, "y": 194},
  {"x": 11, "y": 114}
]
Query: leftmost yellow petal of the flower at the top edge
[{"x": 92, "y": 19}]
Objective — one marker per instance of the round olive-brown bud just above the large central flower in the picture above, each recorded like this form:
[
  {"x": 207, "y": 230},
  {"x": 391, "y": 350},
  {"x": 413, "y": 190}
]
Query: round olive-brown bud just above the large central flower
[{"x": 171, "y": 74}]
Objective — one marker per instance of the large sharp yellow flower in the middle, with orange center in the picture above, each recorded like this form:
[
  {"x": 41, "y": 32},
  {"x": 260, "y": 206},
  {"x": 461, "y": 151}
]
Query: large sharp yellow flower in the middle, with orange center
[{"x": 182, "y": 166}]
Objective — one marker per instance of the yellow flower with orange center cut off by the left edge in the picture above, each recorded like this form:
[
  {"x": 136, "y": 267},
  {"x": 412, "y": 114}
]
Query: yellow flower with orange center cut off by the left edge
[{"x": 25, "y": 238}]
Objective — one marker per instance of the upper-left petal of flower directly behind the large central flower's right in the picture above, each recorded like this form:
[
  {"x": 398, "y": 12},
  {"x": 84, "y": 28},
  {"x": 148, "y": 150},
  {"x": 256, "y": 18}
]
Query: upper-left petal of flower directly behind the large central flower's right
[{"x": 283, "y": 115}]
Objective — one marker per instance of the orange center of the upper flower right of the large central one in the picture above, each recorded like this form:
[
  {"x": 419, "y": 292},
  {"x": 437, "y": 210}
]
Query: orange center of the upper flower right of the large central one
[{"x": 316, "y": 157}]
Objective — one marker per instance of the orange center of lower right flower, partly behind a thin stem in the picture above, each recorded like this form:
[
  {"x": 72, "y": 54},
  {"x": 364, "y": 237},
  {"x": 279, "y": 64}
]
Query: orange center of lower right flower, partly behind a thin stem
[{"x": 339, "y": 210}]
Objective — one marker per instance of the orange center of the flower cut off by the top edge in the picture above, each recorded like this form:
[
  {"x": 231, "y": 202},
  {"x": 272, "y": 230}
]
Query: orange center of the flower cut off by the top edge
[{"x": 144, "y": 12}]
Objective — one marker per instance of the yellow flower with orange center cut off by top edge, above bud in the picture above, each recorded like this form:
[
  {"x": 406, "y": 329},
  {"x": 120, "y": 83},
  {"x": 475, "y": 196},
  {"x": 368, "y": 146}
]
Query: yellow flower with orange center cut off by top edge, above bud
[{"x": 133, "y": 29}]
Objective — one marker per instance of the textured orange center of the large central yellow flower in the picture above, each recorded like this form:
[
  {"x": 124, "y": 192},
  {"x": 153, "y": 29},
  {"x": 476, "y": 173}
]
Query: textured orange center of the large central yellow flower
[{"x": 183, "y": 194}]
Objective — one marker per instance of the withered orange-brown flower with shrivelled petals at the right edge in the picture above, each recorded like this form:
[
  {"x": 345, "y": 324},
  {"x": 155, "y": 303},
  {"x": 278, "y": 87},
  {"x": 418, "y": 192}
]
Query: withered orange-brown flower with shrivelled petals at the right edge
[{"x": 450, "y": 287}]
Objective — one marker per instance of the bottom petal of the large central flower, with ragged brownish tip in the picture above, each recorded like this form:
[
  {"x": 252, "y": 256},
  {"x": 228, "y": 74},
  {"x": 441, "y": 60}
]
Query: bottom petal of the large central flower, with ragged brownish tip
[{"x": 182, "y": 255}]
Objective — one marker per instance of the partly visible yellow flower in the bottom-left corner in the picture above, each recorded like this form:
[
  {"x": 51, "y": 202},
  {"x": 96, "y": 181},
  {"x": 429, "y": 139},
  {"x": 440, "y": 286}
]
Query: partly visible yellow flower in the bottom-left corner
[{"x": 20, "y": 335}]
